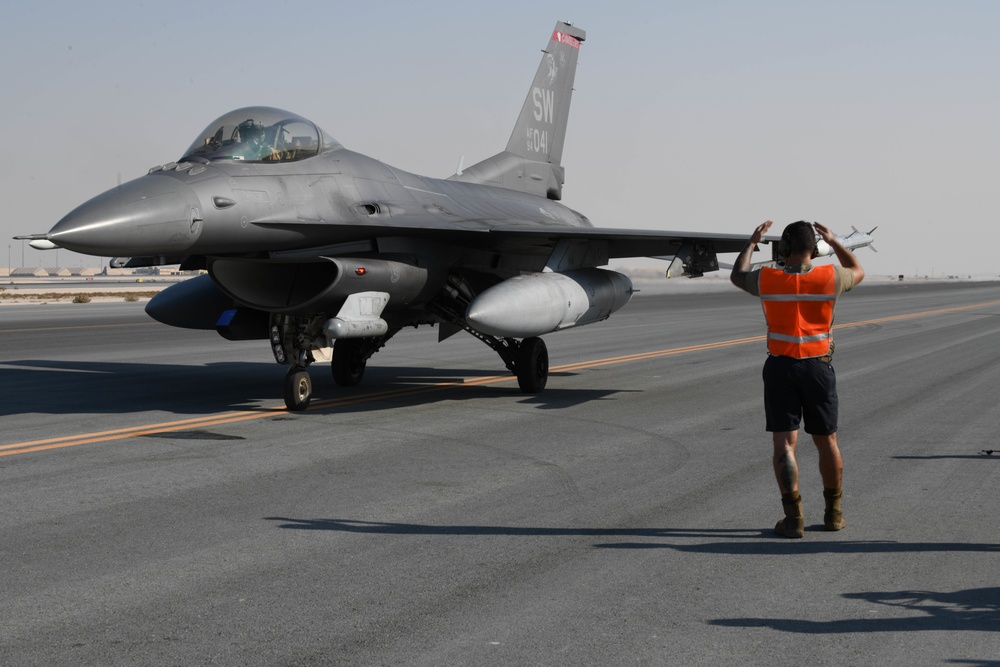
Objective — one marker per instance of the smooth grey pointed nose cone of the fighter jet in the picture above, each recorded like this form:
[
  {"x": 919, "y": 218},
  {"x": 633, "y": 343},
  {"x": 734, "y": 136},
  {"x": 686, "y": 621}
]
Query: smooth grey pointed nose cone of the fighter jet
[{"x": 152, "y": 215}]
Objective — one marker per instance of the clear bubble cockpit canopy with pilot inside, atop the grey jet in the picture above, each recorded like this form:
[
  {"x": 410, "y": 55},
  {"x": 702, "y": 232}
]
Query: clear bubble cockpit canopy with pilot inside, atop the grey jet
[{"x": 260, "y": 134}]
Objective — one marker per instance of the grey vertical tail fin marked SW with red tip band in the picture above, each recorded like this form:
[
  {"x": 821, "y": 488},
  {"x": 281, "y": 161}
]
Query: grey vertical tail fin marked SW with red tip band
[{"x": 531, "y": 162}]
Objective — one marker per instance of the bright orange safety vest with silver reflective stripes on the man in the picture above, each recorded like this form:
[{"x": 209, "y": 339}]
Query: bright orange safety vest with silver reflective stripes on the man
[{"x": 798, "y": 308}]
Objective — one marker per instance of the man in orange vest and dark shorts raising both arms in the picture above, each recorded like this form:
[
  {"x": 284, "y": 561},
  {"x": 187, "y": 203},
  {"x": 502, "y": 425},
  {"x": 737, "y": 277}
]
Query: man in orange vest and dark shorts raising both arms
[{"x": 798, "y": 300}]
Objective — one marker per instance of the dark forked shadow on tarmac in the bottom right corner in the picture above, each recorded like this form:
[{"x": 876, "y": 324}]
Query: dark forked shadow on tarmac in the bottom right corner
[{"x": 972, "y": 610}]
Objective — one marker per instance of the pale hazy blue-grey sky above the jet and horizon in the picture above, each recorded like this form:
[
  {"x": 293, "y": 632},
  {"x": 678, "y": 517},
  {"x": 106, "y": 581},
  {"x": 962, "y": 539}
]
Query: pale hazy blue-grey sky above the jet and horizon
[{"x": 701, "y": 115}]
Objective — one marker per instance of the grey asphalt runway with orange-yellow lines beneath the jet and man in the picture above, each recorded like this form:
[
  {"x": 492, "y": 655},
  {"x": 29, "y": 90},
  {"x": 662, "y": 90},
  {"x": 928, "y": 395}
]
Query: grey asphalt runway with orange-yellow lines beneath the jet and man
[{"x": 160, "y": 507}]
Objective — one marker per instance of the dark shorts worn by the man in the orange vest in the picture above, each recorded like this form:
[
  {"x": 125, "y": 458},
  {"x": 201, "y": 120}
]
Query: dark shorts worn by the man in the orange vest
[{"x": 800, "y": 388}]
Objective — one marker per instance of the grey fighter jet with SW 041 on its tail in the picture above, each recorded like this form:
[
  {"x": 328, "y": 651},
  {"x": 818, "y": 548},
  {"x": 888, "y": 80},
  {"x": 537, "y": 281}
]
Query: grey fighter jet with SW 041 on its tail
[{"x": 312, "y": 246}]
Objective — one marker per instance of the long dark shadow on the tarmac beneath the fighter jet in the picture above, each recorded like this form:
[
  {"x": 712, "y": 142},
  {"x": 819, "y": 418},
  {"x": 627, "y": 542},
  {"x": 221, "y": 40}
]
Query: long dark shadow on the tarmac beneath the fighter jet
[{"x": 77, "y": 387}]
